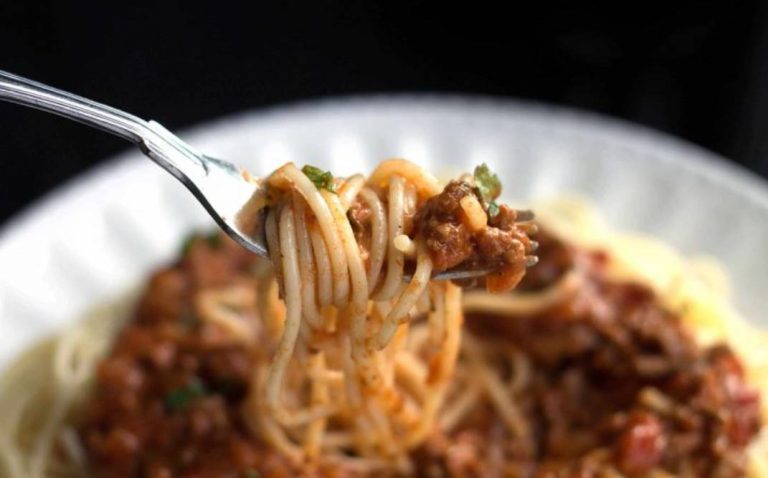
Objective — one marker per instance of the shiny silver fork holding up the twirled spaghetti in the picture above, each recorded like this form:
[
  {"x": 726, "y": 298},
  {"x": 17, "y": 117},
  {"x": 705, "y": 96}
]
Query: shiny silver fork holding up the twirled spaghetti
[{"x": 218, "y": 185}]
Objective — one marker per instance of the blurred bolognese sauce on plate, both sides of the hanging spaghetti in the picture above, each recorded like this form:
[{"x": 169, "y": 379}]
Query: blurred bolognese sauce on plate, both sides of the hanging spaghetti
[{"x": 615, "y": 382}]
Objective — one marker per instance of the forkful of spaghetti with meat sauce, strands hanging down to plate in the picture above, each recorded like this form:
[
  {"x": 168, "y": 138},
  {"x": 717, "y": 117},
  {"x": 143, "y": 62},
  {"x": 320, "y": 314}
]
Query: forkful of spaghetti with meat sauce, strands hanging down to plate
[{"x": 340, "y": 250}]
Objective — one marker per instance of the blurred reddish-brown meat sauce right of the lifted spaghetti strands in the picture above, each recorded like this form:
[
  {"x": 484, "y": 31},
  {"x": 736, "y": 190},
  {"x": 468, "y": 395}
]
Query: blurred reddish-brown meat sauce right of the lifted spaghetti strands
[{"x": 617, "y": 383}]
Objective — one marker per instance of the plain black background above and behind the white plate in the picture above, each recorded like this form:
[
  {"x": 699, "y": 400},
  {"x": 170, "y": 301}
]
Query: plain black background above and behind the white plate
[{"x": 695, "y": 70}]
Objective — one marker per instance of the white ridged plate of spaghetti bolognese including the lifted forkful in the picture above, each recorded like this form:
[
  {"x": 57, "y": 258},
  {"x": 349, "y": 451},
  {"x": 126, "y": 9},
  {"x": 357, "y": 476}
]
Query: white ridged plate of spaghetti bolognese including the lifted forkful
[{"x": 619, "y": 333}]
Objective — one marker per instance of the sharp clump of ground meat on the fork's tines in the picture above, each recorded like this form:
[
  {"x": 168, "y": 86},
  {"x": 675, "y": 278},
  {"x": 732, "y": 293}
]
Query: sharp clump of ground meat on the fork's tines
[{"x": 501, "y": 246}]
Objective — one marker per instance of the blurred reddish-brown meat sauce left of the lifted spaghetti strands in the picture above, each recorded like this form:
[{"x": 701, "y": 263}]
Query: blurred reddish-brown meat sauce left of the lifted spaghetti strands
[{"x": 166, "y": 400}]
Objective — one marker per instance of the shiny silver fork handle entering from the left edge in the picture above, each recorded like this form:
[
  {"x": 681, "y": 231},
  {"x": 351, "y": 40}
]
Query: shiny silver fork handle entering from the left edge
[{"x": 159, "y": 144}]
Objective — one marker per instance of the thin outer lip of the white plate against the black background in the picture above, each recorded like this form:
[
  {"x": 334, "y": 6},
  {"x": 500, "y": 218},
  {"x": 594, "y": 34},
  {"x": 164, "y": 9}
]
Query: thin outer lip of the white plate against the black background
[{"x": 689, "y": 156}]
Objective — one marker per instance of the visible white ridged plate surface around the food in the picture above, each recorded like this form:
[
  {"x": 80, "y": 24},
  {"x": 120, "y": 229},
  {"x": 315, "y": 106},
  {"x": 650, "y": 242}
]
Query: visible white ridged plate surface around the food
[{"x": 103, "y": 232}]
